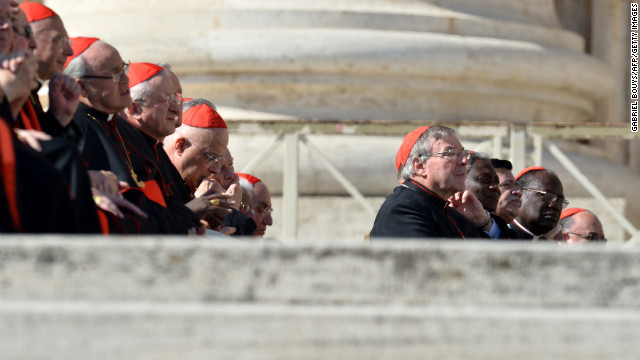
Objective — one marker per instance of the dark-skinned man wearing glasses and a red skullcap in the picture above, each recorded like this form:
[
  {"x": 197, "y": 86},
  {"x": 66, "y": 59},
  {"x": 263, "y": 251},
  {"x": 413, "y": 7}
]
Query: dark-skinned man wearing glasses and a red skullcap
[{"x": 542, "y": 202}]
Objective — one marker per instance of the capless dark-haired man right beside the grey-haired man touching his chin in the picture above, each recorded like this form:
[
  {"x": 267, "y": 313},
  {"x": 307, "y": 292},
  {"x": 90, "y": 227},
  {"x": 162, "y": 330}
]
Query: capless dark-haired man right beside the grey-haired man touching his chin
[{"x": 483, "y": 182}]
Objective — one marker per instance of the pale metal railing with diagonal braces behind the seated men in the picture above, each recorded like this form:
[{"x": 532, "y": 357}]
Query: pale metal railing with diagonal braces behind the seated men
[{"x": 294, "y": 132}]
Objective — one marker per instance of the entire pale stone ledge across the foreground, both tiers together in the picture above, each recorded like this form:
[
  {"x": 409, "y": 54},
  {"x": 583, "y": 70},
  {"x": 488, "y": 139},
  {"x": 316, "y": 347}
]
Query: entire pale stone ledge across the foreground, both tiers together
[{"x": 170, "y": 298}]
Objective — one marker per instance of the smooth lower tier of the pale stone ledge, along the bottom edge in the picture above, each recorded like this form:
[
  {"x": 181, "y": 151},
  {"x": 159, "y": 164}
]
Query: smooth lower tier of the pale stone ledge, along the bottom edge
[{"x": 142, "y": 330}]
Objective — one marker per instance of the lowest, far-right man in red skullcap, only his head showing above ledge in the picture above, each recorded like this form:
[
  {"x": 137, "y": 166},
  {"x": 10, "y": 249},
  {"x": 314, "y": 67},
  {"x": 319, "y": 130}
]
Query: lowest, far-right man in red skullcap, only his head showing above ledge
[{"x": 580, "y": 226}]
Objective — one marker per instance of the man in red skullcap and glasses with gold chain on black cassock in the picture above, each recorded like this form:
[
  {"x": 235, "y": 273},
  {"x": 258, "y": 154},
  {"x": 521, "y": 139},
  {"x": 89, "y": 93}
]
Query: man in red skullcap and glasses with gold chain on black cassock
[{"x": 101, "y": 73}]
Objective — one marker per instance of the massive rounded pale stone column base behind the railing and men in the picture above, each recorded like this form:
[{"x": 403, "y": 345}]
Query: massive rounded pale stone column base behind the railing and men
[{"x": 359, "y": 59}]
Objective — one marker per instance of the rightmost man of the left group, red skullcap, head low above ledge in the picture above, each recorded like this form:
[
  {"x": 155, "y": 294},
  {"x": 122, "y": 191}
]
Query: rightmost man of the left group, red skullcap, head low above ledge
[{"x": 261, "y": 202}]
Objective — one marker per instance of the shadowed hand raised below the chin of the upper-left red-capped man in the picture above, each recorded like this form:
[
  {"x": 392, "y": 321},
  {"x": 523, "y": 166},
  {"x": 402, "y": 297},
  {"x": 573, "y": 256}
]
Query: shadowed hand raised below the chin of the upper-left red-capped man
[{"x": 64, "y": 95}]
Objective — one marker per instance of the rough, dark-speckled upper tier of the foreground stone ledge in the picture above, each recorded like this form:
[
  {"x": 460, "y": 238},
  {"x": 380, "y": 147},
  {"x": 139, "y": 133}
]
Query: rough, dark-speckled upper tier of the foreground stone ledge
[{"x": 434, "y": 273}]
